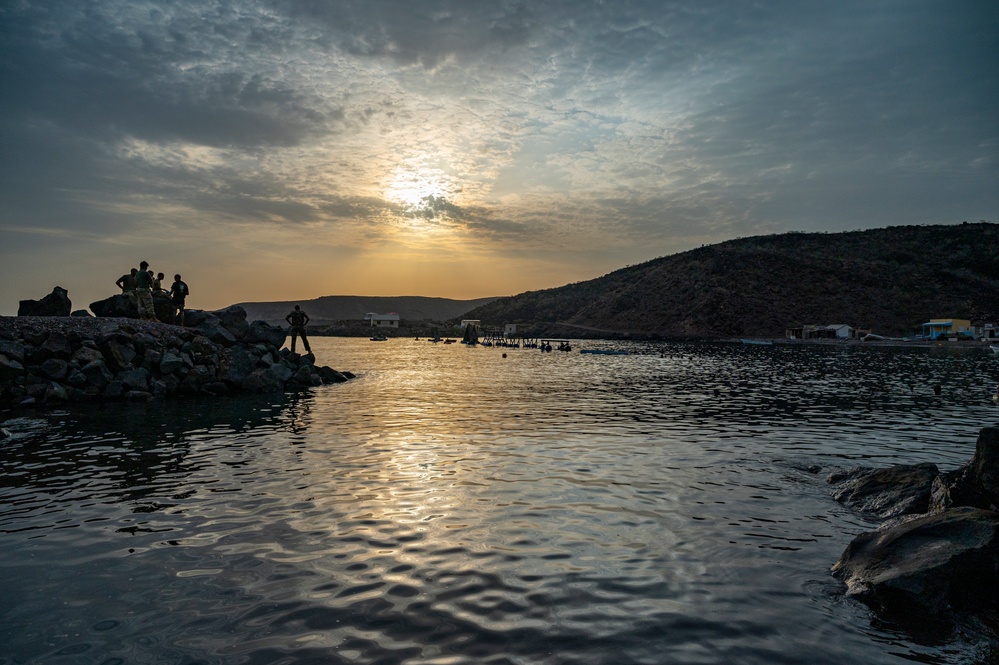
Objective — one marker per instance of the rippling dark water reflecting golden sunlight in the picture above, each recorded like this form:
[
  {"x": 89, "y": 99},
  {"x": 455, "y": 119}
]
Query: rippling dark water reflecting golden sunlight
[{"x": 454, "y": 506}]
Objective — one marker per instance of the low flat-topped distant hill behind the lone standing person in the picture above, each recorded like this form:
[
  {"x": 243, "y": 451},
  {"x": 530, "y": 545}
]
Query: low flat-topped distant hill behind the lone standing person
[{"x": 328, "y": 310}]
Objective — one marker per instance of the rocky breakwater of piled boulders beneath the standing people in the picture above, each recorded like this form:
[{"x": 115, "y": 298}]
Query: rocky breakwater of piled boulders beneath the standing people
[{"x": 64, "y": 359}]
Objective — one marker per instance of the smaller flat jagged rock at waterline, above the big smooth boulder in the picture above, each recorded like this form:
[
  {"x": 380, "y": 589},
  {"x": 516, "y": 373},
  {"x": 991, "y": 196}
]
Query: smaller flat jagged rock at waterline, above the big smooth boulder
[{"x": 889, "y": 492}]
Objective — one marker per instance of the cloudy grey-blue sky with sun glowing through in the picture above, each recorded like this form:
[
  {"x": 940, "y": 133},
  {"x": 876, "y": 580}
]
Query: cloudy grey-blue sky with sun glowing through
[{"x": 289, "y": 149}]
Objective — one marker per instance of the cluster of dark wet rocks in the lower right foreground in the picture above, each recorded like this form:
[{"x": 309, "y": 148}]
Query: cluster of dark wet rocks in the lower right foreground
[{"x": 935, "y": 556}]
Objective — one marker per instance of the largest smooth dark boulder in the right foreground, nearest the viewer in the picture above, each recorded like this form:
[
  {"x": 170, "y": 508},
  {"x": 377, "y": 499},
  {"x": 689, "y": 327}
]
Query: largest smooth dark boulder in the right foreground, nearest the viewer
[{"x": 926, "y": 568}]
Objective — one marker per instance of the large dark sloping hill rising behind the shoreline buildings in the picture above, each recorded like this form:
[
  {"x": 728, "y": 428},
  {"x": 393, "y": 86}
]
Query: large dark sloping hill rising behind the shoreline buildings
[{"x": 889, "y": 280}]
